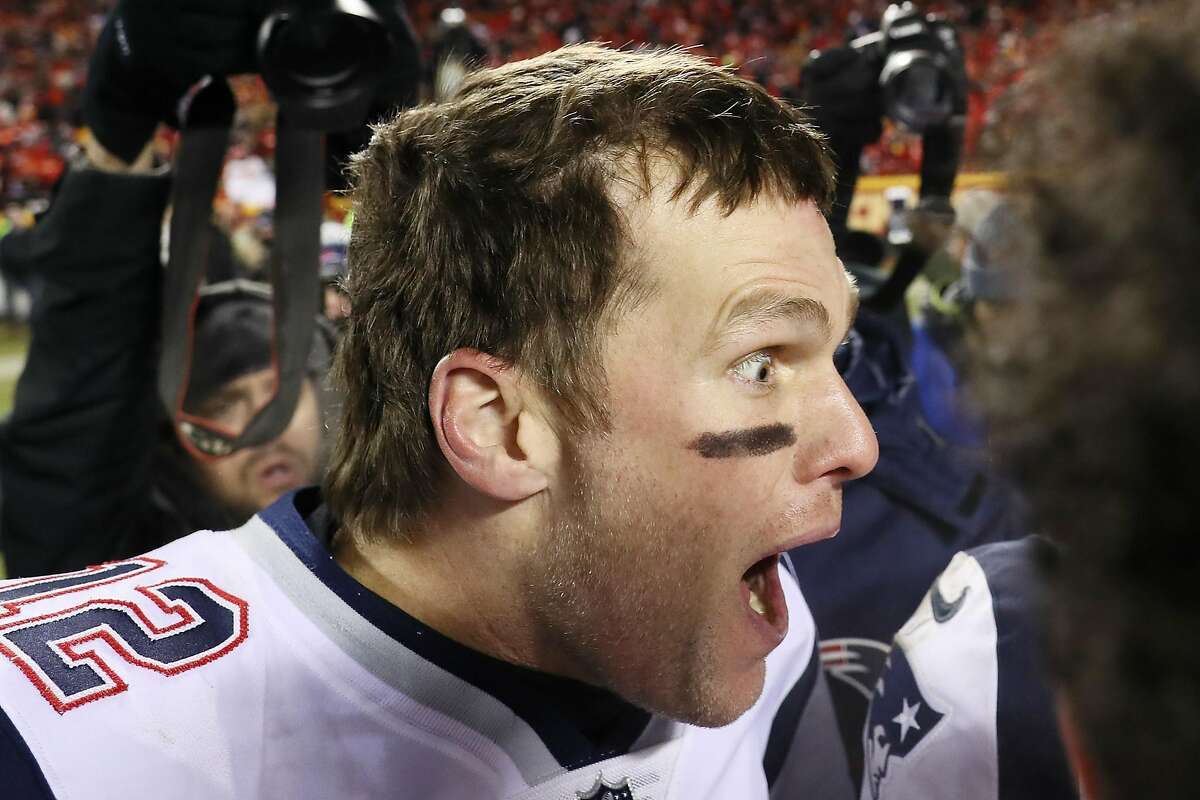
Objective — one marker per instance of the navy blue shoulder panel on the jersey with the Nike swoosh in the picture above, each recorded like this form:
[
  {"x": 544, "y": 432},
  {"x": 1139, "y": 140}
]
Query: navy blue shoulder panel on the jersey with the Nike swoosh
[{"x": 1033, "y": 763}]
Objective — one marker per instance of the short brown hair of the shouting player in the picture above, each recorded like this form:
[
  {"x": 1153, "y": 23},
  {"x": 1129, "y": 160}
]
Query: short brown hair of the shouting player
[{"x": 488, "y": 222}]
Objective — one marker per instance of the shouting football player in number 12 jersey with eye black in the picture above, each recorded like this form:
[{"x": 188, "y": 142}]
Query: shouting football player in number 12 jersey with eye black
[{"x": 591, "y": 400}]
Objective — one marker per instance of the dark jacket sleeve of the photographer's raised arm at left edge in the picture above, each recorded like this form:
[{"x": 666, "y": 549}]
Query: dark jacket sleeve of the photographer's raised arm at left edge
[{"x": 76, "y": 453}]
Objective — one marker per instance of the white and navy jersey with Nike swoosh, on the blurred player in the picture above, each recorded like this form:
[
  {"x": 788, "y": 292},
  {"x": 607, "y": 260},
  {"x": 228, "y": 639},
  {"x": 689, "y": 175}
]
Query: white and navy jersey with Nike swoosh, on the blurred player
[{"x": 963, "y": 709}]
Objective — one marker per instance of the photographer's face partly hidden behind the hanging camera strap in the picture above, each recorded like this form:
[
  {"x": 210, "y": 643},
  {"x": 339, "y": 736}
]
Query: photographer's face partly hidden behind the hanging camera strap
[{"x": 253, "y": 479}]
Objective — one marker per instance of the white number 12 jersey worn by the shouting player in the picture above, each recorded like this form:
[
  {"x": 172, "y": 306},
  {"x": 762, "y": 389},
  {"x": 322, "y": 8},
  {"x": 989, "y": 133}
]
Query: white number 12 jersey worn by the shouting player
[{"x": 247, "y": 664}]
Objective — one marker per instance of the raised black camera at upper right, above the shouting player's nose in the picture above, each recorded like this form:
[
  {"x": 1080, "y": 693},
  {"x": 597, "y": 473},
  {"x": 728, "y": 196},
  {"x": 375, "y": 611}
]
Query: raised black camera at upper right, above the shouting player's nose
[{"x": 920, "y": 67}]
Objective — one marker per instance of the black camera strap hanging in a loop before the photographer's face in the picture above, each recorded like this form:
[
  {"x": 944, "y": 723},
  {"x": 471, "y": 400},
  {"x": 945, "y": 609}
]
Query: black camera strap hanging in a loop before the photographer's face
[{"x": 295, "y": 278}]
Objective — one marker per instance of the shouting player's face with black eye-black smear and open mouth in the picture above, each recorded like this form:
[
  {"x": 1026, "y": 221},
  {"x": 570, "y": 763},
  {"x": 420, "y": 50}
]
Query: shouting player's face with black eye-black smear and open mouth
[{"x": 731, "y": 437}]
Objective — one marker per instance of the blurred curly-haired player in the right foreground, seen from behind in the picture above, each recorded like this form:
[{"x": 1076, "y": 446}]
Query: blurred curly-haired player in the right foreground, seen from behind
[{"x": 1094, "y": 407}]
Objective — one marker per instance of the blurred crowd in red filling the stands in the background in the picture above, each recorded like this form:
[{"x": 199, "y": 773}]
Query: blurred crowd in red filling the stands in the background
[{"x": 45, "y": 47}]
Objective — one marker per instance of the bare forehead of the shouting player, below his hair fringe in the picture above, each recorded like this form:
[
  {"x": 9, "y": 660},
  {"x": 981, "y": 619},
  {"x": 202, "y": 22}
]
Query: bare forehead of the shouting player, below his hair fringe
[{"x": 703, "y": 260}]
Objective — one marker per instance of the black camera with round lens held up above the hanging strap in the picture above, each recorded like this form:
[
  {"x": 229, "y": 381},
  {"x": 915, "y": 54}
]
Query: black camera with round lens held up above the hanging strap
[{"x": 322, "y": 59}]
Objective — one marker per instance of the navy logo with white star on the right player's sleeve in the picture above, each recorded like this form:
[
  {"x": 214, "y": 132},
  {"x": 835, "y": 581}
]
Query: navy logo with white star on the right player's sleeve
[{"x": 899, "y": 720}]
